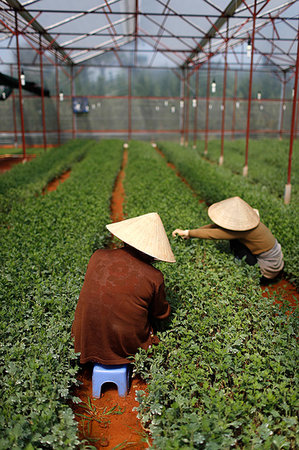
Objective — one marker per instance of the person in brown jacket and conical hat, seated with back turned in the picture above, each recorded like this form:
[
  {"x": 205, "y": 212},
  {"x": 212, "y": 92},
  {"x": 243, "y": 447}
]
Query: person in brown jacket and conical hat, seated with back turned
[{"x": 122, "y": 293}]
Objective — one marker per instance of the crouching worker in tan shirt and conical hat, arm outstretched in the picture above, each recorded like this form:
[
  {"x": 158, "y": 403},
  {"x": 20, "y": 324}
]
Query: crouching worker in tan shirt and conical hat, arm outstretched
[{"x": 238, "y": 222}]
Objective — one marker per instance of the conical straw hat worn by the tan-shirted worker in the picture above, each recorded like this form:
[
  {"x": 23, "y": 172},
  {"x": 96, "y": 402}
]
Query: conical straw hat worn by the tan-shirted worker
[{"x": 234, "y": 214}]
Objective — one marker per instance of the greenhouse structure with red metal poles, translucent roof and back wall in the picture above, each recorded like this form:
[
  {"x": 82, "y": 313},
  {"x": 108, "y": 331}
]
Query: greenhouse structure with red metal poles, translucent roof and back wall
[{"x": 153, "y": 37}]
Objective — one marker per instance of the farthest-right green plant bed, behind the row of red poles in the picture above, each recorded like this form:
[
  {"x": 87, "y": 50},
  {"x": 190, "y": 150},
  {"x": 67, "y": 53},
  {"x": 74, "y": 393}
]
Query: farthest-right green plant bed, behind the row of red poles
[{"x": 267, "y": 161}]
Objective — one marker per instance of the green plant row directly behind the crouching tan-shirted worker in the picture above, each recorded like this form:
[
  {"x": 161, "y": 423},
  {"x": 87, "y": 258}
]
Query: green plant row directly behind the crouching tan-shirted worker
[{"x": 214, "y": 183}]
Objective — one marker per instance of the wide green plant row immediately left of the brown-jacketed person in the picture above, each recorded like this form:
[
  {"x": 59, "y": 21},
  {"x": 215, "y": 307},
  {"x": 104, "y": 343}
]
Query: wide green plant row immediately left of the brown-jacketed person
[{"x": 44, "y": 255}]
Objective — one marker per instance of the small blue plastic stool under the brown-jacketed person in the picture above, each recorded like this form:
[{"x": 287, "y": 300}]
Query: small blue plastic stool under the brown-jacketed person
[{"x": 118, "y": 375}]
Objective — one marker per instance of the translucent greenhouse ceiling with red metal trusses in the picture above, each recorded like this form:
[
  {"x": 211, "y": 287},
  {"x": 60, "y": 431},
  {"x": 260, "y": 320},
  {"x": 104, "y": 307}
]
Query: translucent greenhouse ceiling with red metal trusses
[{"x": 153, "y": 33}]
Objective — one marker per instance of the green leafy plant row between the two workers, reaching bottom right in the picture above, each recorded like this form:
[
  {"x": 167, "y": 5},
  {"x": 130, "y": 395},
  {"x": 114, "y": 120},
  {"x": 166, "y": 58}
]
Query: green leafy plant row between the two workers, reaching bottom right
[{"x": 224, "y": 373}]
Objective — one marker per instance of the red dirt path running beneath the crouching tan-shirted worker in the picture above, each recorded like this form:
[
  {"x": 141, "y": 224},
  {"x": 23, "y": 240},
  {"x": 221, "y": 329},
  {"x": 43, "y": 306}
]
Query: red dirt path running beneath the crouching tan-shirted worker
[{"x": 282, "y": 288}]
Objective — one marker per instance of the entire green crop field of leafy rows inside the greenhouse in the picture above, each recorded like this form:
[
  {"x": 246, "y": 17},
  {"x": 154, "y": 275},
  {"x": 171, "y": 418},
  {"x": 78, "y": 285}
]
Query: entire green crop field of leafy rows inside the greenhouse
[{"x": 225, "y": 372}]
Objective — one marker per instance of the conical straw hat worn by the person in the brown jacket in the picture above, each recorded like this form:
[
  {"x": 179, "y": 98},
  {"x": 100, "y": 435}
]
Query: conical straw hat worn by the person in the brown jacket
[{"x": 146, "y": 233}]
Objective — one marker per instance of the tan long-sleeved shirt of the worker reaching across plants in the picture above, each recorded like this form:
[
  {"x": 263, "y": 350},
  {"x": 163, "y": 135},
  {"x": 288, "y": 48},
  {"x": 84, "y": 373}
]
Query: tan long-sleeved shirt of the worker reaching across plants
[{"x": 258, "y": 240}]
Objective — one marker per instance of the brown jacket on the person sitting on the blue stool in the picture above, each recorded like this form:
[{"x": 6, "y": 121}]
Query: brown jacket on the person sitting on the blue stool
[{"x": 120, "y": 295}]
